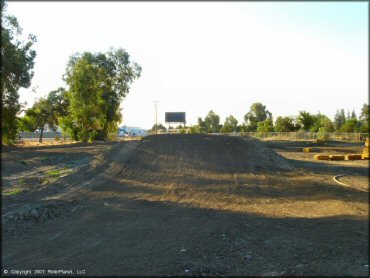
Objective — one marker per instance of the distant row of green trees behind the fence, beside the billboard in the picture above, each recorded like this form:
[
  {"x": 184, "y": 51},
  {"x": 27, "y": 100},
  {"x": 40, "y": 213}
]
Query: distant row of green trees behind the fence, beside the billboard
[{"x": 259, "y": 119}]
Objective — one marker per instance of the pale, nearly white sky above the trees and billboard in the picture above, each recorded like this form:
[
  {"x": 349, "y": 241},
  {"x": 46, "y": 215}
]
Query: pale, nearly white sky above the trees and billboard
[{"x": 198, "y": 56}]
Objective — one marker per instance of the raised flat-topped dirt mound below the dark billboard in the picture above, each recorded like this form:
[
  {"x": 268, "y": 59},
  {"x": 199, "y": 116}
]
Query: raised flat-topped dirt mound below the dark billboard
[{"x": 208, "y": 153}]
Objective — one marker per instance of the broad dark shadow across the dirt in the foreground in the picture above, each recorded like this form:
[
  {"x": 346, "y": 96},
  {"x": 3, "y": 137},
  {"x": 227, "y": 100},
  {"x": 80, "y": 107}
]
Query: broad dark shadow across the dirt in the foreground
[{"x": 135, "y": 237}]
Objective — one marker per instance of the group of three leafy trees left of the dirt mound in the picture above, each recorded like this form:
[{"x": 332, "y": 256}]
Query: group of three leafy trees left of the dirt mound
[{"x": 88, "y": 110}]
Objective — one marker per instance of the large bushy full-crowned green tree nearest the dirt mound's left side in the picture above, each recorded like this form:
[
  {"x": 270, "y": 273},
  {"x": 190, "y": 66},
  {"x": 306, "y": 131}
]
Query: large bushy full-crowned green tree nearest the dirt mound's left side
[{"x": 97, "y": 85}]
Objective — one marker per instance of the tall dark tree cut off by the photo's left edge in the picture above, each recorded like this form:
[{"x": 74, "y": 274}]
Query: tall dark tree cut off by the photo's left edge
[{"x": 17, "y": 61}]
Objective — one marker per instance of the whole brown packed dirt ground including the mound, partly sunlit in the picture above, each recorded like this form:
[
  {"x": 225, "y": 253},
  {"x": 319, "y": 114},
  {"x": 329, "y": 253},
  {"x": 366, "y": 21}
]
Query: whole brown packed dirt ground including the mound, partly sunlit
[{"x": 187, "y": 205}]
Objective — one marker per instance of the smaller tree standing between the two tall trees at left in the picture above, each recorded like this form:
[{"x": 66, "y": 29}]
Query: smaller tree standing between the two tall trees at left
[{"x": 48, "y": 110}]
